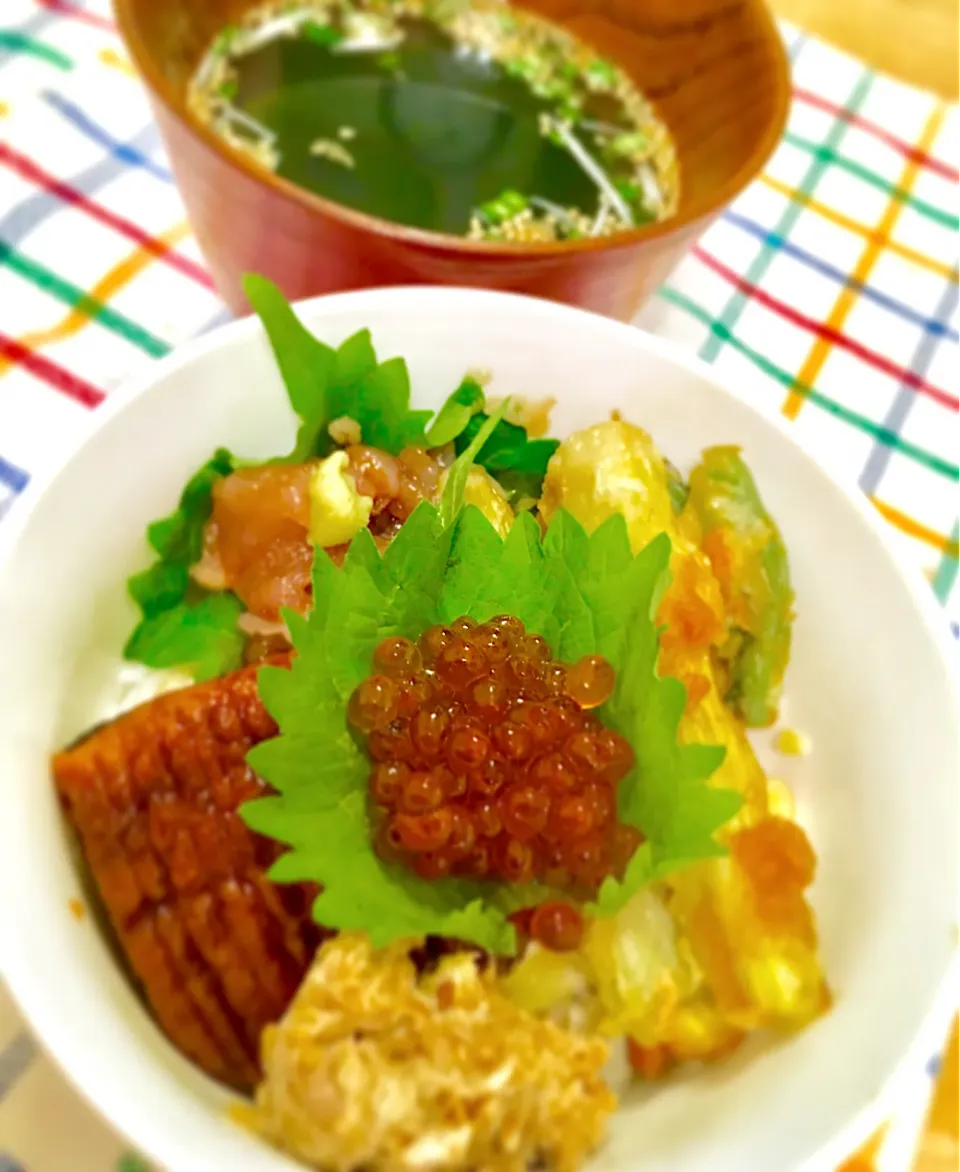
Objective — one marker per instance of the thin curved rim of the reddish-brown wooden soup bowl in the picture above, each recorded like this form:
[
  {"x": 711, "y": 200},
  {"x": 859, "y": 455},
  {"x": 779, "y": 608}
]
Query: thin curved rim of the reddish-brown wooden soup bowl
[{"x": 440, "y": 242}]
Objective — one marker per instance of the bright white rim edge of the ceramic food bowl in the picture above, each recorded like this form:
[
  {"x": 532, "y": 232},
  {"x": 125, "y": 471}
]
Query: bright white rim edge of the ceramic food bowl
[{"x": 81, "y": 1068}]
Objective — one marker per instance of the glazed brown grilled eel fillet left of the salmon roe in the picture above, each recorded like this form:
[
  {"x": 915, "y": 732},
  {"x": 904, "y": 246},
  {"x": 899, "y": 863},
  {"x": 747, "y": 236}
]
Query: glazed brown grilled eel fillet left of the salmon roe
[{"x": 219, "y": 950}]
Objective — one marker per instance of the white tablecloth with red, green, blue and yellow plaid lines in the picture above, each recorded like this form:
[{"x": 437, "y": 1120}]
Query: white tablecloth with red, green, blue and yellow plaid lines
[{"x": 829, "y": 292}]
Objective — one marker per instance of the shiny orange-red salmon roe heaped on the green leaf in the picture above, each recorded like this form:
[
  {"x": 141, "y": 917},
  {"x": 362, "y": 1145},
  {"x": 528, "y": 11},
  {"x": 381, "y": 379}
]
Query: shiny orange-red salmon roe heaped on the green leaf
[{"x": 488, "y": 760}]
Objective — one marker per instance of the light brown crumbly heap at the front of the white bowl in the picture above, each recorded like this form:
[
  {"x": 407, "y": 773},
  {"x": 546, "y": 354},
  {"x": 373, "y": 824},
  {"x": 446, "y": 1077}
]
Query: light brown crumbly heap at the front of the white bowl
[{"x": 375, "y": 1067}]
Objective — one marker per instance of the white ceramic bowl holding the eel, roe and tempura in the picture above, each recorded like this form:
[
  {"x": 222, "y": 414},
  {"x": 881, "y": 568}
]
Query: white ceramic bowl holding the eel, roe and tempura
[{"x": 870, "y": 683}]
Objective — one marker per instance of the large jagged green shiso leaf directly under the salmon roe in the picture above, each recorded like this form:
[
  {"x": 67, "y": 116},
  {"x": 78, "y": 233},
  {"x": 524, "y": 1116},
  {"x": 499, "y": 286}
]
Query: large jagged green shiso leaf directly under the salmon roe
[{"x": 584, "y": 595}]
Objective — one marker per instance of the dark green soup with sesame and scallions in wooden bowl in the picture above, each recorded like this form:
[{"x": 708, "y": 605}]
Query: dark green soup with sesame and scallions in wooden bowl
[{"x": 472, "y": 120}]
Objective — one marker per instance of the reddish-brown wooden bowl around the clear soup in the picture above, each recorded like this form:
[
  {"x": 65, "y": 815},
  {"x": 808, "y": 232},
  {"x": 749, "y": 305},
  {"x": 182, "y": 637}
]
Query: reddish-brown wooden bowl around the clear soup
[{"x": 714, "y": 69}]
